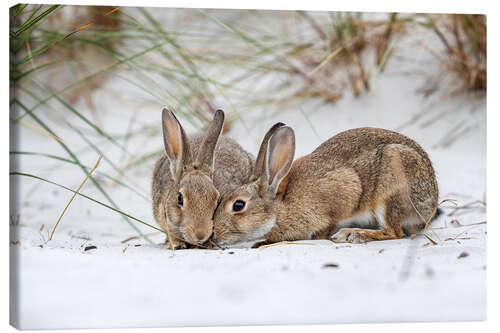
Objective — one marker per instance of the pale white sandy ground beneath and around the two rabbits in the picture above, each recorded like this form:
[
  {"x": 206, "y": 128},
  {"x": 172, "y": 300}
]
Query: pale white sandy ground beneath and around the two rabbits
[{"x": 58, "y": 284}]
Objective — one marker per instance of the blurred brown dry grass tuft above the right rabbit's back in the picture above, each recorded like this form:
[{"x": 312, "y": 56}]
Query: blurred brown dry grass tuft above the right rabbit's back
[{"x": 349, "y": 39}]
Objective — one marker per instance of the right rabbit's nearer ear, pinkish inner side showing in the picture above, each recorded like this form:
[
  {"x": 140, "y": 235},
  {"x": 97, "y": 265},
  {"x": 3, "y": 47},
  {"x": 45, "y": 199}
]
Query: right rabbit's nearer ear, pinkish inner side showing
[{"x": 280, "y": 153}]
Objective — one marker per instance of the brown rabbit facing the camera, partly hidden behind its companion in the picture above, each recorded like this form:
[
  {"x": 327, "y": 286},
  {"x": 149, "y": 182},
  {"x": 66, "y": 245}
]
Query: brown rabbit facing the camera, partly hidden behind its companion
[{"x": 190, "y": 177}]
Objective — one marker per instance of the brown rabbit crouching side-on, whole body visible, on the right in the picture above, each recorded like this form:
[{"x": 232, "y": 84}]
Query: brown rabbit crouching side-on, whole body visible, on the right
[{"x": 361, "y": 185}]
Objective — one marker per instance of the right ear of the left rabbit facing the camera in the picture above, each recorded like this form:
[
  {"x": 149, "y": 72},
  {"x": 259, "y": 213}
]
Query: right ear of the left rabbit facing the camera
[{"x": 207, "y": 149}]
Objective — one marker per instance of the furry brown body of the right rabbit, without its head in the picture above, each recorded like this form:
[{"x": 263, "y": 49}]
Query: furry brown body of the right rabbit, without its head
[{"x": 367, "y": 175}]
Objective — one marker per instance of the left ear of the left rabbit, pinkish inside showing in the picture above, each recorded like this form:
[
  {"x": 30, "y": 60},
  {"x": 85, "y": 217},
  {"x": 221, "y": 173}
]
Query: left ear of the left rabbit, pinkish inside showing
[{"x": 176, "y": 144}]
